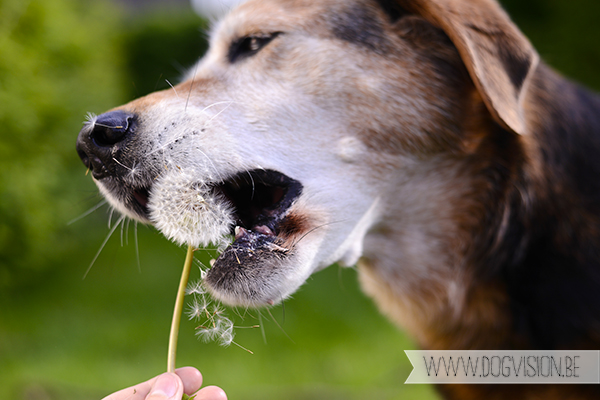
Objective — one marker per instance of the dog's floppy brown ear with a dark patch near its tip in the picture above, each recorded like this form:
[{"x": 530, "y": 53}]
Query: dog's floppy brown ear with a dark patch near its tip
[{"x": 498, "y": 56}]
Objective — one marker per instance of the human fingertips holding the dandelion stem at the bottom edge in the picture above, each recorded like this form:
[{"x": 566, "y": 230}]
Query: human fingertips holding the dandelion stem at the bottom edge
[{"x": 169, "y": 386}]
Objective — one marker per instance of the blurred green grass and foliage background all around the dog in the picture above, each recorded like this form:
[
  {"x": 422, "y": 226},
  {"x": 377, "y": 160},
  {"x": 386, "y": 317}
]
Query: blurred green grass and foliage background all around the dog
[{"x": 64, "y": 337}]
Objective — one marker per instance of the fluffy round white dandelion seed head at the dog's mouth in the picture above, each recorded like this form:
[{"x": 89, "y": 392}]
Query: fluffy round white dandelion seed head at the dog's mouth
[{"x": 187, "y": 211}]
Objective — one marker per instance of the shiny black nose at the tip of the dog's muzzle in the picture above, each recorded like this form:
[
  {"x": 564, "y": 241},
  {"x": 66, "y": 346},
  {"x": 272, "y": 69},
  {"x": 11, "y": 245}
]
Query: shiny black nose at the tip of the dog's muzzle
[{"x": 100, "y": 140}]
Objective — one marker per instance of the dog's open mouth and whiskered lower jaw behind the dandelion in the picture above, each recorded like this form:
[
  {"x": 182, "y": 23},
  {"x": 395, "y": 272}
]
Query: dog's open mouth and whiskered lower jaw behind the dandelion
[{"x": 251, "y": 269}]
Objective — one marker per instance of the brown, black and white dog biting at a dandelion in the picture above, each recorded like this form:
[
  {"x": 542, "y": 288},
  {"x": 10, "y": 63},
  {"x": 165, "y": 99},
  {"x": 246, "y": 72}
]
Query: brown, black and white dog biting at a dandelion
[{"x": 422, "y": 140}]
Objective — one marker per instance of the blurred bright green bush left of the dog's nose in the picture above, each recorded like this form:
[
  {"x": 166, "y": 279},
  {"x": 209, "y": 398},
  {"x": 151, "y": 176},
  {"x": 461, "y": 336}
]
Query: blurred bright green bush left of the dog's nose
[{"x": 52, "y": 67}]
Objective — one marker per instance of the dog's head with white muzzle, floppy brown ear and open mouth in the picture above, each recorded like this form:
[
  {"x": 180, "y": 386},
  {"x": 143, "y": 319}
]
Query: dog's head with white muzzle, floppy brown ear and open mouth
[{"x": 290, "y": 131}]
